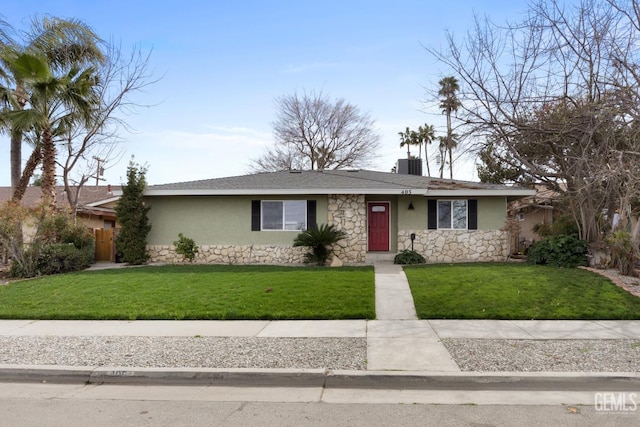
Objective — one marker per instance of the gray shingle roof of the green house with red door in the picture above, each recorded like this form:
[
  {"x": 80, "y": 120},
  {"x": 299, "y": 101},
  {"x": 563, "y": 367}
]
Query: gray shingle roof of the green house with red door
[{"x": 323, "y": 182}]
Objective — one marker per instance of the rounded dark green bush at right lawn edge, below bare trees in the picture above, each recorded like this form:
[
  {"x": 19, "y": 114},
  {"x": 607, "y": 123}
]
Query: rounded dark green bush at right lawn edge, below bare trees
[{"x": 559, "y": 251}]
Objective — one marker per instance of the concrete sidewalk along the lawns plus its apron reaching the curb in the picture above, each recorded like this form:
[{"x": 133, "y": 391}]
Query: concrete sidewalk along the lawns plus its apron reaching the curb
[{"x": 392, "y": 345}]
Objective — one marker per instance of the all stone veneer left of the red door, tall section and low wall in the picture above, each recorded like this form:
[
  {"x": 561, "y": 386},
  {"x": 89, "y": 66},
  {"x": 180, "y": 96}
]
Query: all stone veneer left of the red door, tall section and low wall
[{"x": 347, "y": 212}]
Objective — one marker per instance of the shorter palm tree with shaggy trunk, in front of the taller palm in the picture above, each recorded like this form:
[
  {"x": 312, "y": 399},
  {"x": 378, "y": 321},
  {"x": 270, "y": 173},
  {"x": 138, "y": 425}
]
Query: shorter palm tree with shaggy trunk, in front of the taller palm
[{"x": 53, "y": 103}]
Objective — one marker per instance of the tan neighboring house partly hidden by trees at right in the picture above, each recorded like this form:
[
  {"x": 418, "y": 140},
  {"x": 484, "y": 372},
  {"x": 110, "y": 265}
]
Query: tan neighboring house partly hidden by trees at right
[{"x": 530, "y": 211}]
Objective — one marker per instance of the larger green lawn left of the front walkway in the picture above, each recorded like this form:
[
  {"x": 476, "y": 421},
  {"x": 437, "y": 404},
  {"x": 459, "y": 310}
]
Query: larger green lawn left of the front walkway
[{"x": 195, "y": 292}]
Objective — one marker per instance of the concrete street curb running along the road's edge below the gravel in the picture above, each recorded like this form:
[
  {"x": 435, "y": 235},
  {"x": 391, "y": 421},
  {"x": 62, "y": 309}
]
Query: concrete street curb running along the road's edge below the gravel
[{"x": 320, "y": 378}]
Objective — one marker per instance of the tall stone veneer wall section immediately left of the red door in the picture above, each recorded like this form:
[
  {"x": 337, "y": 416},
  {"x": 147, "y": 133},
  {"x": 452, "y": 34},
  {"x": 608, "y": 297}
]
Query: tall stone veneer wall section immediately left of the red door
[{"x": 349, "y": 213}]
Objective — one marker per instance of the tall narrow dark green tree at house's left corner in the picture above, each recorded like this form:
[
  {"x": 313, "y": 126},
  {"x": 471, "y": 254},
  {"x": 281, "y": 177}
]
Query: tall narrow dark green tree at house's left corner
[{"x": 131, "y": 242}]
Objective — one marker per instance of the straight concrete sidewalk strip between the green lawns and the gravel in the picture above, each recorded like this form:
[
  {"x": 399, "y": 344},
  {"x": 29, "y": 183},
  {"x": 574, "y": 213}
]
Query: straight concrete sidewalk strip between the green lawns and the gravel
[{"x": 440, "y": 329}]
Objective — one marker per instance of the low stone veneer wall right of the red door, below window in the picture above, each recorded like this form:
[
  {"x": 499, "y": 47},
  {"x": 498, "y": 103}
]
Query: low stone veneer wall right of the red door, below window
[{"x": 457, "y": 245}]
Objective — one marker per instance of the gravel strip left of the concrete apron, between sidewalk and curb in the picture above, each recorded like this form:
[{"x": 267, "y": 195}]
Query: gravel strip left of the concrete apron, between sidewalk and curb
[{"x": 194, "y": 352}]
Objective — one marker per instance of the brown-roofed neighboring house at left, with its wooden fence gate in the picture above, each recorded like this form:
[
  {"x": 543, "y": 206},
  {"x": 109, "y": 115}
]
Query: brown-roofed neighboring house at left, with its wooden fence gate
[{"x": 95, "y": 209}]
